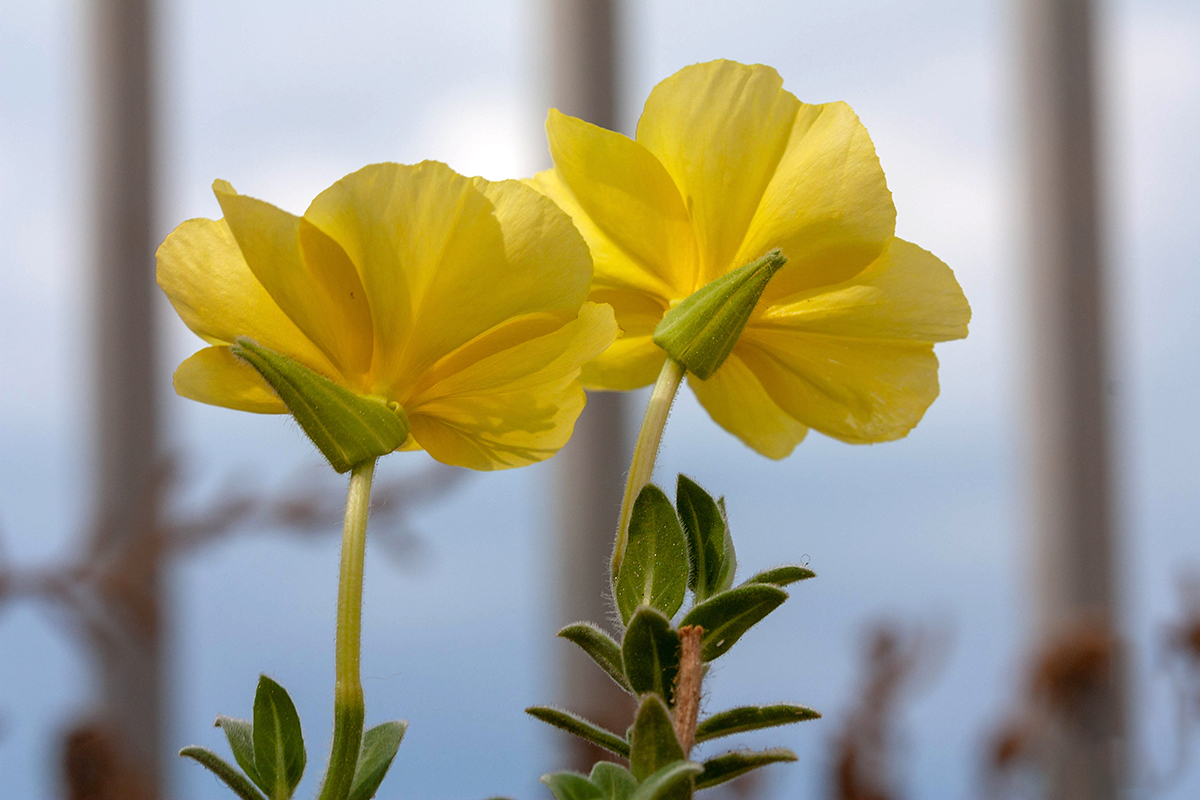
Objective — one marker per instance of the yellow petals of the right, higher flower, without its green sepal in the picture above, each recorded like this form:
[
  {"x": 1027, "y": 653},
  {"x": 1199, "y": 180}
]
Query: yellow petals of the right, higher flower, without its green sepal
[{"x": 728, "y": 166}]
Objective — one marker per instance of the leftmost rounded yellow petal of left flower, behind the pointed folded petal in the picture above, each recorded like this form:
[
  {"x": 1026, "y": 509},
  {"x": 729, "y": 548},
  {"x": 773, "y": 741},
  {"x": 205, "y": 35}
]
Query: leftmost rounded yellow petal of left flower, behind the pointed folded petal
[{"x": 203, "y": 273}]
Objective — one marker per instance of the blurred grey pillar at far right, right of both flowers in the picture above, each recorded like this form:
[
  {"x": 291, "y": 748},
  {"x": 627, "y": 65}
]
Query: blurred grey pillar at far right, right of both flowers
[{"x": 1077, "y": 584}]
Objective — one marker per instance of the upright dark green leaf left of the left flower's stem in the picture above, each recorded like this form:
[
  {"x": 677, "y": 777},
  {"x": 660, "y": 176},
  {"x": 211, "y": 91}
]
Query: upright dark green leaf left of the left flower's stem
[{"x": 279, "y": 745}]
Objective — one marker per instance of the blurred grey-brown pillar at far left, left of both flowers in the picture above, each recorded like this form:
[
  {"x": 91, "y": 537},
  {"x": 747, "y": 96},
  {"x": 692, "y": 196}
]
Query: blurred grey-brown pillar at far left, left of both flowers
[{"x": 125, "y": 555}]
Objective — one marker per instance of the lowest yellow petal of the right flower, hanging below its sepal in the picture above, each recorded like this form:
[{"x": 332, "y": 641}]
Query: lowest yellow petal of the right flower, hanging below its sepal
[{"x": 737, "y": 402}]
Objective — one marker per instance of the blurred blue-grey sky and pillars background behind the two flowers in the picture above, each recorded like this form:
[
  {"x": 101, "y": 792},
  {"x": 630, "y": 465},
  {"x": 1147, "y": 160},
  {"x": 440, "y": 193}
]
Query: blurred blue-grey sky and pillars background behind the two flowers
[{"x": 925, "y": 640}]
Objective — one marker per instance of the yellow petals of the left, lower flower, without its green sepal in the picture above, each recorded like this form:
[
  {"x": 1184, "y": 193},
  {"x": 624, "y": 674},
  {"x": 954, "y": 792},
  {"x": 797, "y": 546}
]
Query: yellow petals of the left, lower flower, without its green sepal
[{"x": 461, "y": 300}]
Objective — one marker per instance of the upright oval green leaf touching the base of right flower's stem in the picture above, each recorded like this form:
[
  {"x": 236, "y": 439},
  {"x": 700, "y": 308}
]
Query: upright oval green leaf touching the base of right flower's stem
[{"x": 655, "y": 570}]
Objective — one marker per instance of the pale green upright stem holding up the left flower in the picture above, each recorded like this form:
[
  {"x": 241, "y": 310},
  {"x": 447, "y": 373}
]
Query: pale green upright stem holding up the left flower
[{"x": 349, "y": 707}]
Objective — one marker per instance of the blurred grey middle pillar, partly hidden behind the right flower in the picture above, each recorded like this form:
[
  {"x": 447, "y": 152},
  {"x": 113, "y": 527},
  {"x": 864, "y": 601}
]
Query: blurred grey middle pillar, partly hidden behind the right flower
[{"x": 593, "y": 466}]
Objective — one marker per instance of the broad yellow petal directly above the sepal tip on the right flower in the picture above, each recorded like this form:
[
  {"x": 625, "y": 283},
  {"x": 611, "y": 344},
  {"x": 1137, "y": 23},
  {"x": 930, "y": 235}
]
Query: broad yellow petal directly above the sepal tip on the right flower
[{"x": 827, "y": 207}]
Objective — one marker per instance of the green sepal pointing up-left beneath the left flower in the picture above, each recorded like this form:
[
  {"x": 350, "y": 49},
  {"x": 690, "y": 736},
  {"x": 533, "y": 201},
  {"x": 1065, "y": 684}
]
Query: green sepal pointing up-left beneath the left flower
[{"x": 347, "y": 429}]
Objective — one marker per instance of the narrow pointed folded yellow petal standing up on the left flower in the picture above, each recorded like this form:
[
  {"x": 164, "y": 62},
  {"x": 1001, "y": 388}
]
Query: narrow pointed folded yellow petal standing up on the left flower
[{"x": 308, "y": 275}]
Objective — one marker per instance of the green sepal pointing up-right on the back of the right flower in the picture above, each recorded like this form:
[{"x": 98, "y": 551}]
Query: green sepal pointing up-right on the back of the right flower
[{"x": 701, "y": 332}]
